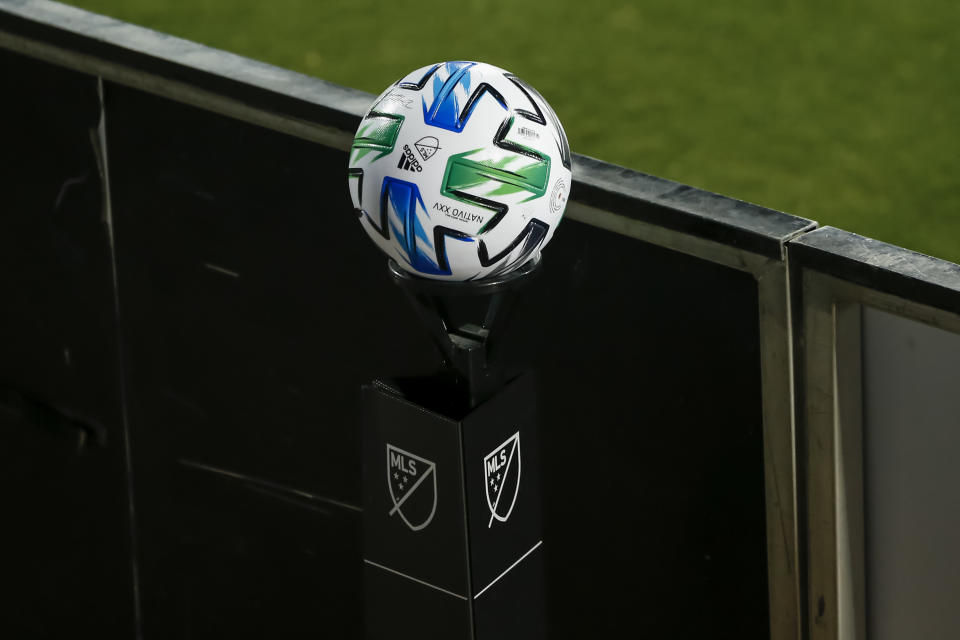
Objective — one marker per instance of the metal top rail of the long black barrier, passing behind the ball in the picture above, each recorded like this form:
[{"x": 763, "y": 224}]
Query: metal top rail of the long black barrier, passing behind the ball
[{"x": 319, "y": 110}]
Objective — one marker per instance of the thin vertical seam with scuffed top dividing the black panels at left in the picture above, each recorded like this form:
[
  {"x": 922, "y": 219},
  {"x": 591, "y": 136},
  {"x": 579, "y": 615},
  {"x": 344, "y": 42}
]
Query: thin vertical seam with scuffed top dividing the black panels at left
[{"x": 103, "y": 161}]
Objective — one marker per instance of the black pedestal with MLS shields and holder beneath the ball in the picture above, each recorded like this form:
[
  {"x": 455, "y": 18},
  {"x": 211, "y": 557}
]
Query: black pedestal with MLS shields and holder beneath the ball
[{"x": 452, "y": 507}]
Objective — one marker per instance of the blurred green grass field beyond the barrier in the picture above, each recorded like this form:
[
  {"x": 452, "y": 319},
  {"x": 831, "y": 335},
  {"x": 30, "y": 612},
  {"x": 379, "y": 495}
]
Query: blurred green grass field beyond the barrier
[{"x": 844, "y": 112}]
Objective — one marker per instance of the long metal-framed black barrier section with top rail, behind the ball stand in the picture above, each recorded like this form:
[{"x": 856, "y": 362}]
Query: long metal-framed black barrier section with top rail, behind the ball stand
[{"x": 187, "y": 283}]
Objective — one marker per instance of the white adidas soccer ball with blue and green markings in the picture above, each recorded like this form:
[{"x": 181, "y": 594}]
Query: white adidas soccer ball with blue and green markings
[{"x": 460, "y": 171}]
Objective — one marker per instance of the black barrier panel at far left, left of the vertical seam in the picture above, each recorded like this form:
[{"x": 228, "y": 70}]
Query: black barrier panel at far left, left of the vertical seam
[{"x": 63, "y": 489}]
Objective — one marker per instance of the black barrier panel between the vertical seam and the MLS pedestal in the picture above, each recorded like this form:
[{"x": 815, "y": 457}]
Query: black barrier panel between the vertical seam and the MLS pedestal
[{"x": 254, "y": 308}]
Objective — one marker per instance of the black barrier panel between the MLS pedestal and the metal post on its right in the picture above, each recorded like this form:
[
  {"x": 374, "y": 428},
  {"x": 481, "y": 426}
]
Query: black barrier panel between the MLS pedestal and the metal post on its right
[{"x": 650, "y": 417}]
